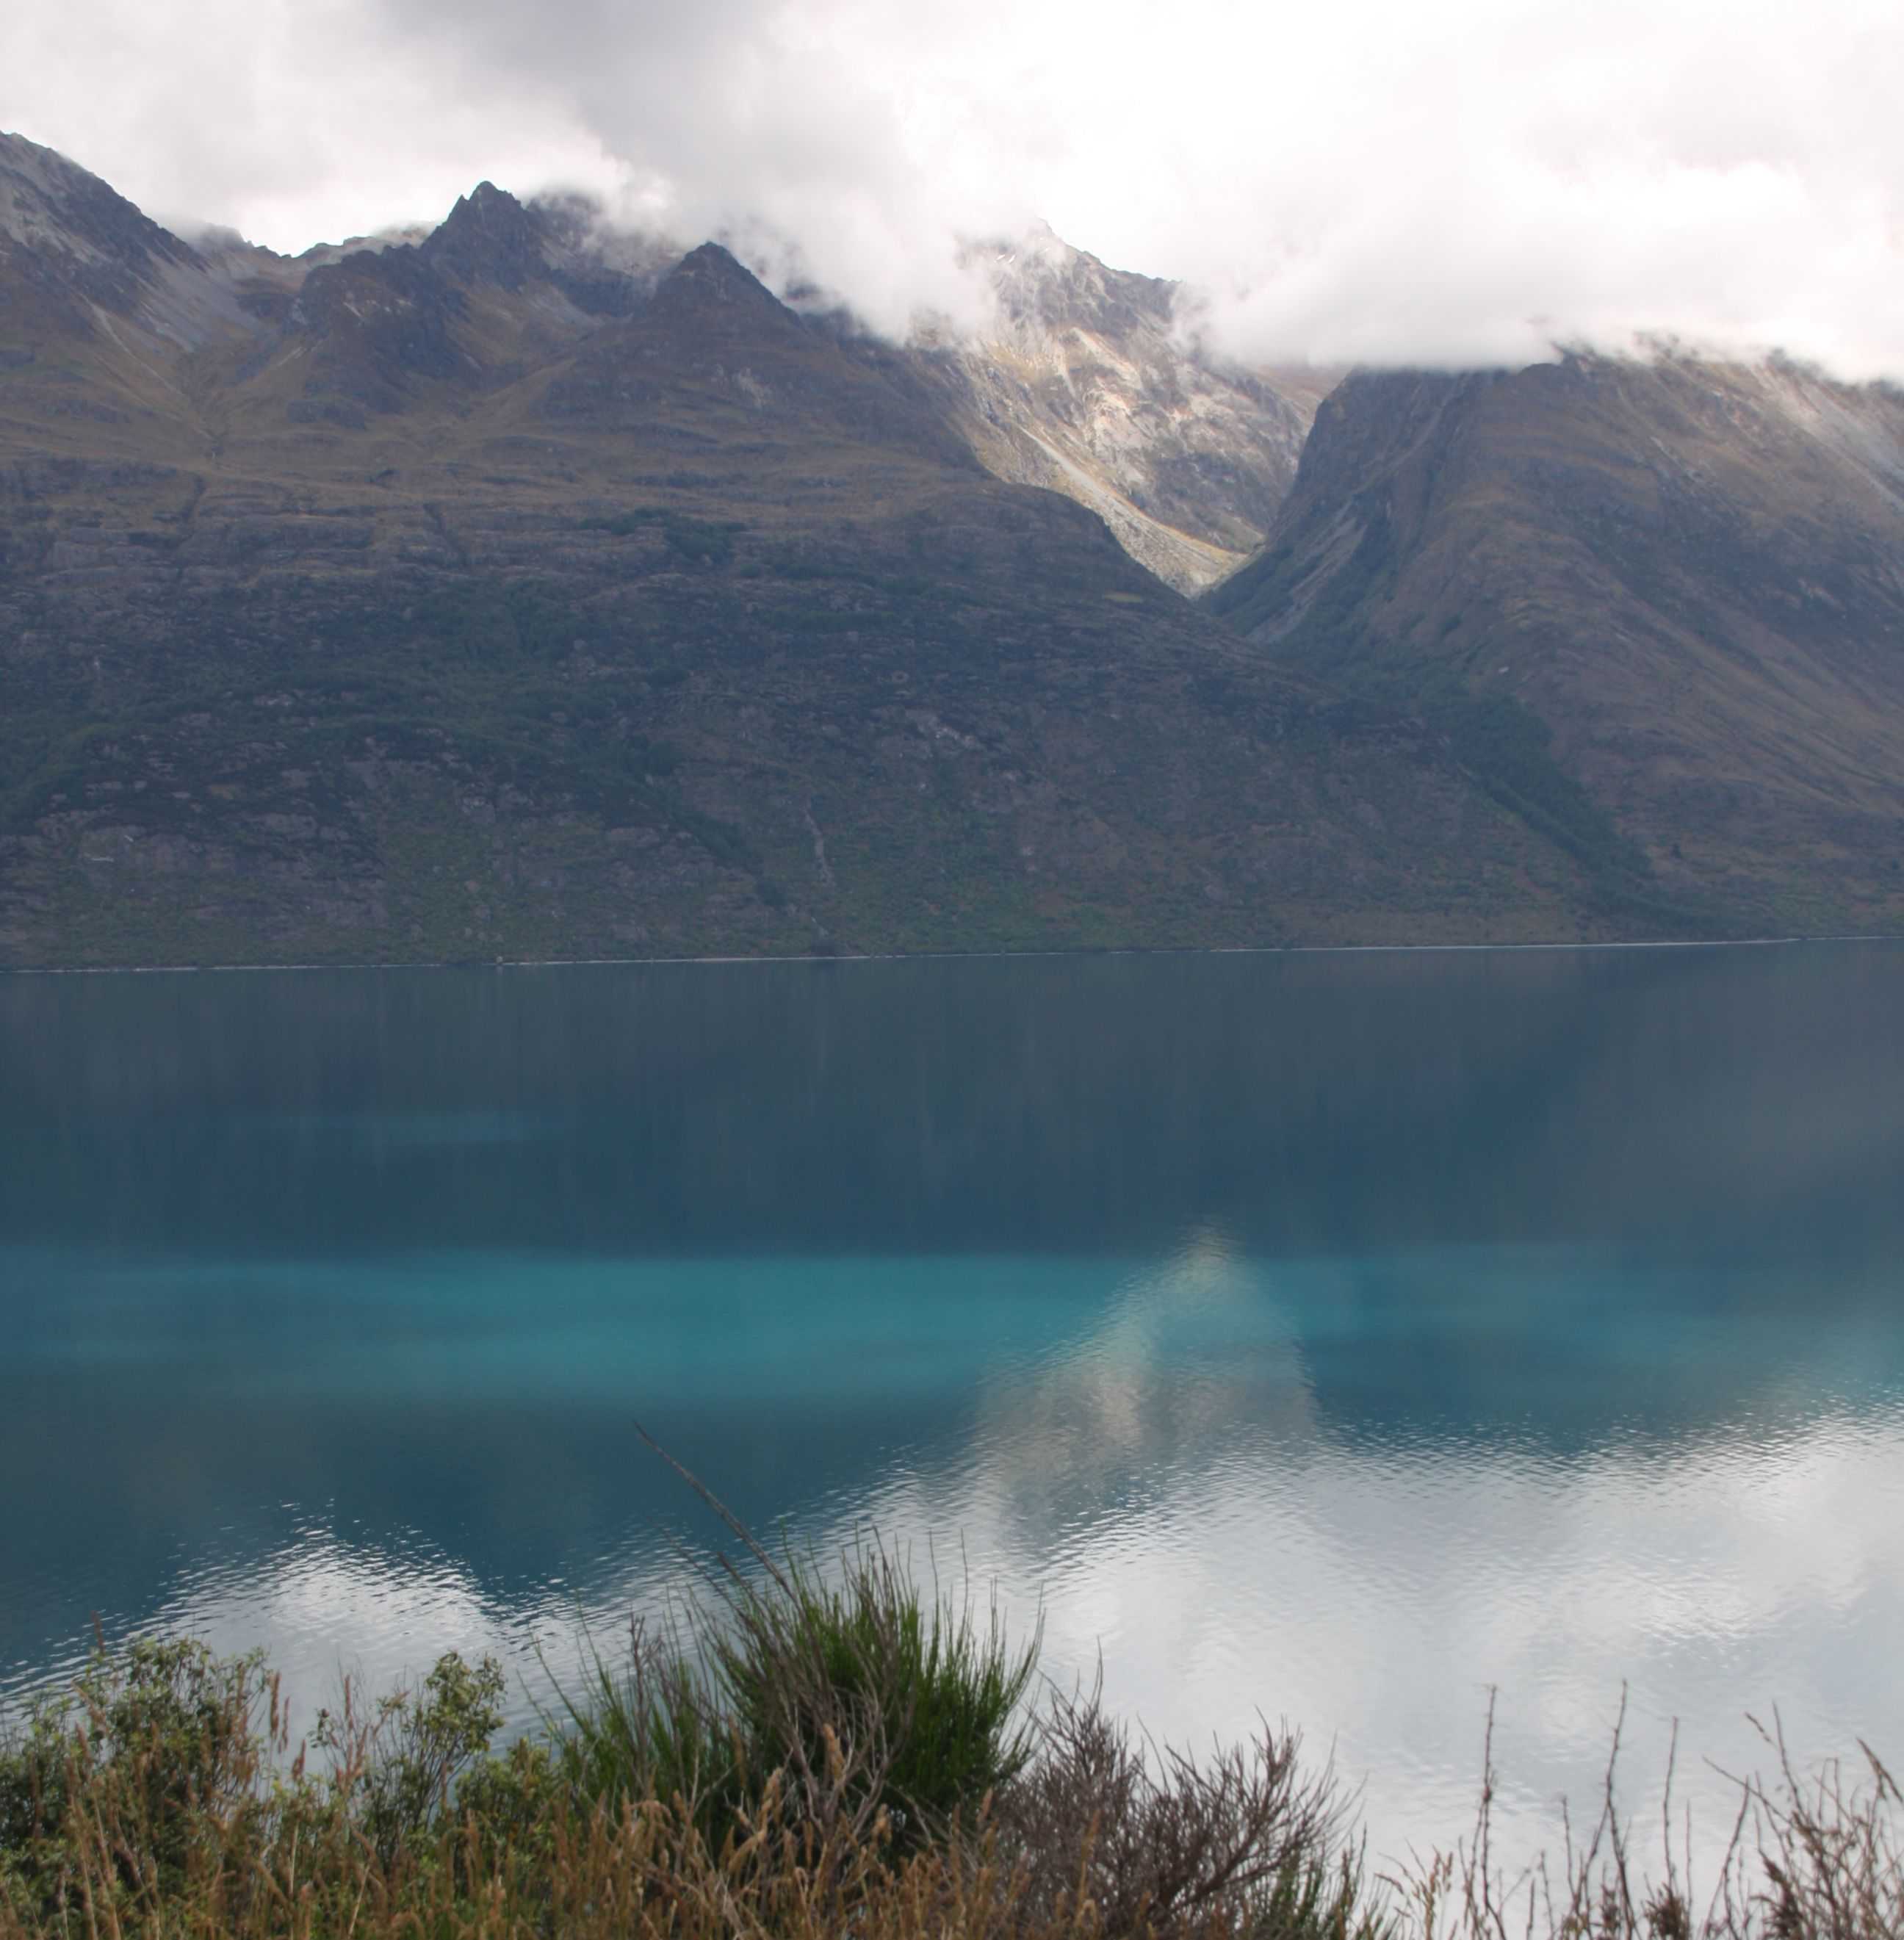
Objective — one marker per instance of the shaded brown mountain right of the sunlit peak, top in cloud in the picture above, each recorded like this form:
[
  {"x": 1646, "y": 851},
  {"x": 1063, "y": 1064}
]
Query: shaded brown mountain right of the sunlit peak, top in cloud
[{"x": 1658, "y": 606}]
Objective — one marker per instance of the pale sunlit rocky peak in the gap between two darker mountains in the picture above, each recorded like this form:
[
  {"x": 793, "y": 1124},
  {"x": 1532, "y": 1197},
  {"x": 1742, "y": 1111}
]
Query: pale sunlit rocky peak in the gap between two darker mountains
[{"x": 1088, "y": 385}]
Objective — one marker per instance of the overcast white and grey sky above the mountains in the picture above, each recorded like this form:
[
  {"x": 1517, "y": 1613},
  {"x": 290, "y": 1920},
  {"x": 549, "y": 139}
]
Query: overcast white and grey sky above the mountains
[{"x": 1449, "y": 181}]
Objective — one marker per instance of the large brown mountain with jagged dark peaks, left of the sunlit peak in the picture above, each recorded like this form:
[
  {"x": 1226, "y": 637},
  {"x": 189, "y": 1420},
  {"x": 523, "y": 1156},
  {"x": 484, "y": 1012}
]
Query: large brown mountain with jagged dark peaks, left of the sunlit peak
[{"x": 517, "y": 591}]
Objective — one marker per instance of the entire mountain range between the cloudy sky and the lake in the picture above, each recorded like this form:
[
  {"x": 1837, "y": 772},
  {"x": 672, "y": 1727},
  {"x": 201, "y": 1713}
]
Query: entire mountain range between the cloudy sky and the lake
[{"x": 531, "y": 591}]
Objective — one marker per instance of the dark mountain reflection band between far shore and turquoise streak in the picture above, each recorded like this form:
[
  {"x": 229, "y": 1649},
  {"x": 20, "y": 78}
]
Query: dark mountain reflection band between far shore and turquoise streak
[{"x": 1101, "y": 1105}]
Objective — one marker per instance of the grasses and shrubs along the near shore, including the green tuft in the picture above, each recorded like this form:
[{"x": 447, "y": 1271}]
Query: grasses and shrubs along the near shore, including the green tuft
[{"x": 797, "y": 1759}]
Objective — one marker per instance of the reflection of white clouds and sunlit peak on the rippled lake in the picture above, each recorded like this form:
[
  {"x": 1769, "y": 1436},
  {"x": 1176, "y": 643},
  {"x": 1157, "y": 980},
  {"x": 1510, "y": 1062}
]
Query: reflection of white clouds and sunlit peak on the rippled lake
[{"x": 1167, "y": 1489}]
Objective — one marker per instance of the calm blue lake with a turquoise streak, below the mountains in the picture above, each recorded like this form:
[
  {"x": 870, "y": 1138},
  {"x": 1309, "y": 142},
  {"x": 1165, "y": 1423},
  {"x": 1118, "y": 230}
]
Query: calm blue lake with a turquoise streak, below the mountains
[{"x": 1334, "y": 1338}]
